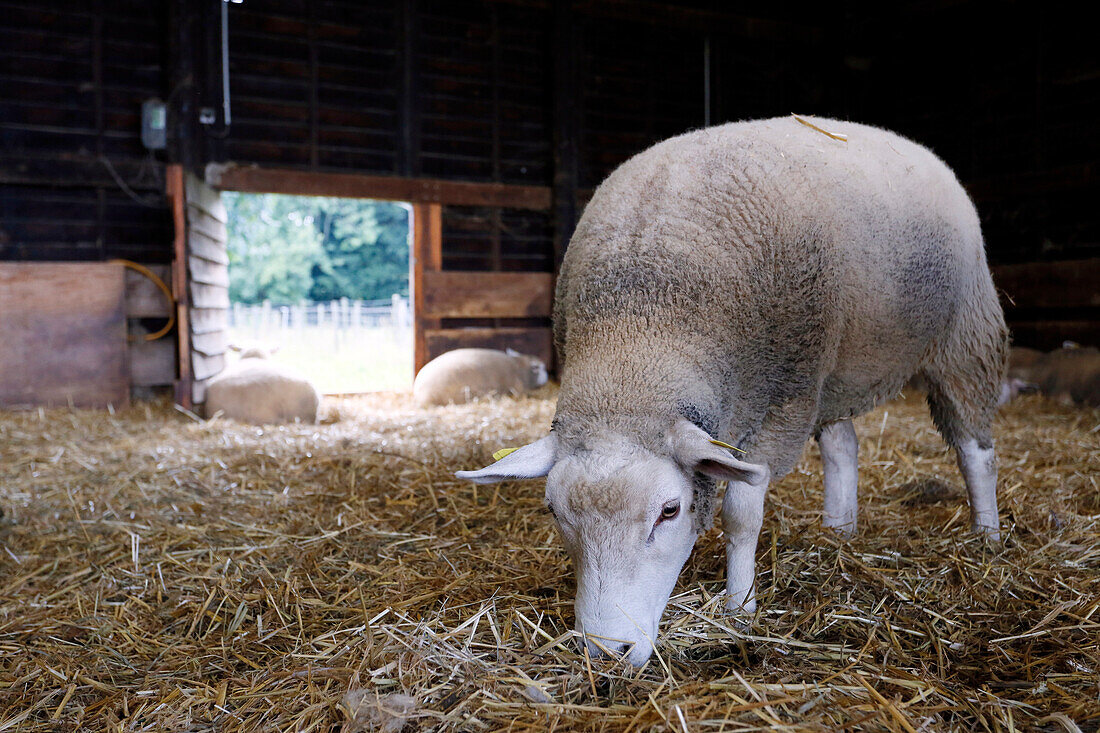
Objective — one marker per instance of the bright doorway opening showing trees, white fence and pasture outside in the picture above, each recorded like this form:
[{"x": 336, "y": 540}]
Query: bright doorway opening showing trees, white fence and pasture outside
[{"x": 324, "y": 283}]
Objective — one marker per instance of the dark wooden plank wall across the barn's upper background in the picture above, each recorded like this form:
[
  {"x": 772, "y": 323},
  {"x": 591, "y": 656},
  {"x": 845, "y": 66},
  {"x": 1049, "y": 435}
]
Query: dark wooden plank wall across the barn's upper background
[{"x": 527, "y": 92}]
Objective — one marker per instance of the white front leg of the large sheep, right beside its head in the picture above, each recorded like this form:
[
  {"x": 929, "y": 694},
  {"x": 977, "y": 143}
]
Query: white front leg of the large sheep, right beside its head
[{"x": 742, "y": 519}]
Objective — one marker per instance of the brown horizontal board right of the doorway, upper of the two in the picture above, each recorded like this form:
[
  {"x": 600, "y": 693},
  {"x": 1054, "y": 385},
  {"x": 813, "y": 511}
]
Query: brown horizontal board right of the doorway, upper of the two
[{"x": 488, "y": 294}]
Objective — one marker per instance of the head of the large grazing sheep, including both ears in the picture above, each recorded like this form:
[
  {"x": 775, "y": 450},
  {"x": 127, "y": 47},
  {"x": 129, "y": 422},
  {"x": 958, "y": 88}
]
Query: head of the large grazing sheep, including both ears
[{"x": 628, "y": 518}]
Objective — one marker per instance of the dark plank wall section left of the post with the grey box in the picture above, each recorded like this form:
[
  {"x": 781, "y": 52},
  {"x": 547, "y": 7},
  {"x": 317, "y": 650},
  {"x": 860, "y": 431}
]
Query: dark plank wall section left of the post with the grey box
[{"x": 72, "y": 83}]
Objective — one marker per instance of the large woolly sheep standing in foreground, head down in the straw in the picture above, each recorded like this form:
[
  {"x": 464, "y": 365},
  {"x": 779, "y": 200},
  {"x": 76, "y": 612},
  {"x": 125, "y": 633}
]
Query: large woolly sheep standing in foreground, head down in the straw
[{"x": 757, "y": 283}]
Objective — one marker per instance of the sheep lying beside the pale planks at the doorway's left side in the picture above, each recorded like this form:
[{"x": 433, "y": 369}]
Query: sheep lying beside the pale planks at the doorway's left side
[{"x": 261, "y": 392}]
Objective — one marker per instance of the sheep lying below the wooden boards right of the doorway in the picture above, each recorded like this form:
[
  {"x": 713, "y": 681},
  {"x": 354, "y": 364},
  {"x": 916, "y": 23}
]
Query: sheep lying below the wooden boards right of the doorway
[{"x": 464, "y": 375}]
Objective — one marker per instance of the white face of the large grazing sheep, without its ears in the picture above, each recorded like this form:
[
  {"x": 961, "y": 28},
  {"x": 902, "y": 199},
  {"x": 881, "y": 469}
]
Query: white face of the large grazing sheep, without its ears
[{"x": 628, "y": 524}]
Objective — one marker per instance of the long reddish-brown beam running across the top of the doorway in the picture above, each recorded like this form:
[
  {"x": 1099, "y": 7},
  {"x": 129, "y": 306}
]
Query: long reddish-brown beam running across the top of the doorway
[{"x": 256, "y": 180}]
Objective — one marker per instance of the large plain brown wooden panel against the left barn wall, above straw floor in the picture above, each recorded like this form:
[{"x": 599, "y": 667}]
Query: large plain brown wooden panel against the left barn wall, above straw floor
[{"x": 64, "y": 334}]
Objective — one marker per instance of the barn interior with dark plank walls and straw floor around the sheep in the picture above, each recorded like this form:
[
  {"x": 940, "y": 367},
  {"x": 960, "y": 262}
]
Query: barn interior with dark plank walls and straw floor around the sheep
[{"x": 164, "y": 573}]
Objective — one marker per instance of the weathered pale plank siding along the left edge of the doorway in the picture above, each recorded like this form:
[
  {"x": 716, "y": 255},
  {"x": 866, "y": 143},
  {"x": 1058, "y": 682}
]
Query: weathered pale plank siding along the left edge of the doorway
[{"x": 208, "y": 278}]
